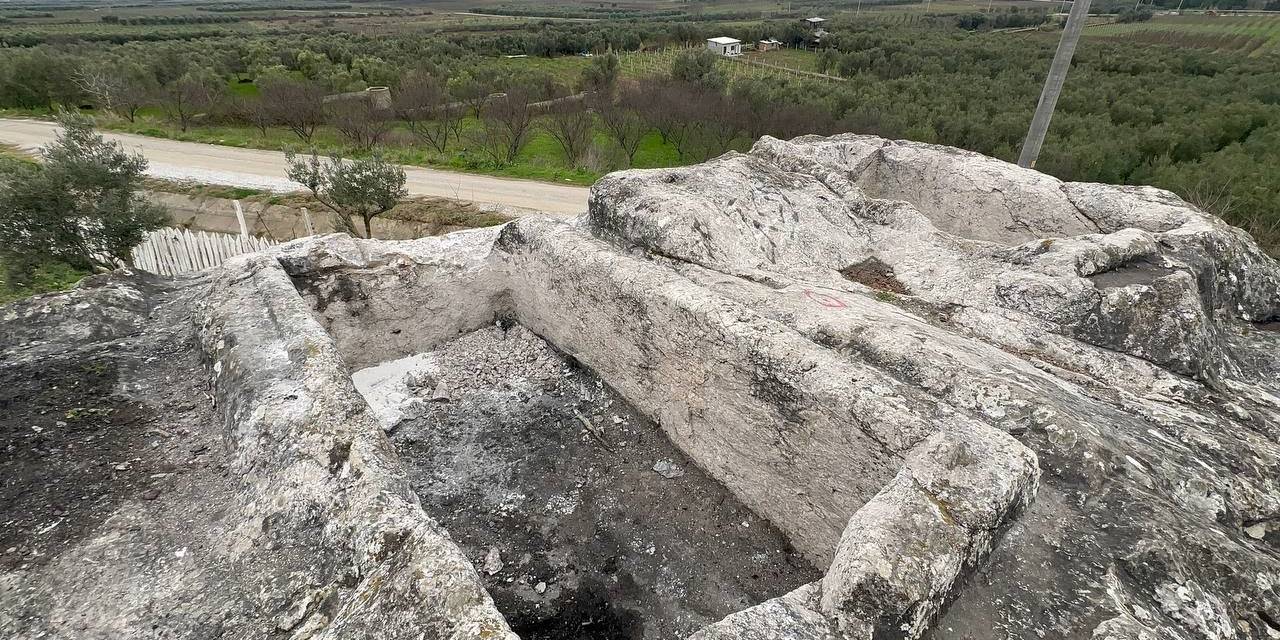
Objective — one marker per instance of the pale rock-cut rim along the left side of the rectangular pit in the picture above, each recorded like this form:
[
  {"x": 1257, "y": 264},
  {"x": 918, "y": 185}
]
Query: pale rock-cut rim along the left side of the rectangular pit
[{"x": 305, "y": 440}]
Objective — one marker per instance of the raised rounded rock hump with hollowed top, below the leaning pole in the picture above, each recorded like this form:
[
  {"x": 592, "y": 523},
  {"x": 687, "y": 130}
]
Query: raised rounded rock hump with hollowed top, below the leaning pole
[{"x": 953, "y": 228}]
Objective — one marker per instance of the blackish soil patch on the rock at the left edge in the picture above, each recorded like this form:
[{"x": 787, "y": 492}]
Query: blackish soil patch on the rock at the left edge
[{"x": 70, "y": 452}]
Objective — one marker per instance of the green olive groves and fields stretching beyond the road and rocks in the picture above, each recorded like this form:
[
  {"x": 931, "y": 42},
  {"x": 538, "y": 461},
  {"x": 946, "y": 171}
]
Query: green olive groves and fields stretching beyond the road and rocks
[{"x": 1201, "y": 121}]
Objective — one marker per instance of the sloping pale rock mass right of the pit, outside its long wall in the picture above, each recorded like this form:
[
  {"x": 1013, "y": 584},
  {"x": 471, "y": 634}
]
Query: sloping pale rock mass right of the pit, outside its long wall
[{"x": 1122, "y": 335}]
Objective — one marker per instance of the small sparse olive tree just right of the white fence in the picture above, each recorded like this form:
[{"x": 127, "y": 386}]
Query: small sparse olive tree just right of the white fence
[{"x": 350, "y": 189}]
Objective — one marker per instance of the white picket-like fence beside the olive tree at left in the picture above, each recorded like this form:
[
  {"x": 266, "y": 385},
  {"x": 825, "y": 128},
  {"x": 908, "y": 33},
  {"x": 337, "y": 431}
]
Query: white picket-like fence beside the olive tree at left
[{"x": 177, "y": 252}]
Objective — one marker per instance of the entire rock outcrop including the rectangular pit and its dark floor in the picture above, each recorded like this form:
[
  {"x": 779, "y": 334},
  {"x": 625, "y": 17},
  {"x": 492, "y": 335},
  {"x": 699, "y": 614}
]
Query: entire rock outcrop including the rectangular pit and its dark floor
[{"x": 844, "y": 388}]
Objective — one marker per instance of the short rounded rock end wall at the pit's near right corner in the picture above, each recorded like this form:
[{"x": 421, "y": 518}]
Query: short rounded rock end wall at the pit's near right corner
[{"x": 906, "y": 551}]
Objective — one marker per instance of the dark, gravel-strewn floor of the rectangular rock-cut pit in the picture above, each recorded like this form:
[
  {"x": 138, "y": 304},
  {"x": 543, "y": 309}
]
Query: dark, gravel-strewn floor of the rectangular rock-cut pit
[{"x": 582, "y": 518}]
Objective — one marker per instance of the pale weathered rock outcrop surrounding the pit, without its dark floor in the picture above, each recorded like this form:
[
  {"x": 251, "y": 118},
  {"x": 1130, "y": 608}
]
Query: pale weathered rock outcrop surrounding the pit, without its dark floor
[{"x": 986, "y": 403}]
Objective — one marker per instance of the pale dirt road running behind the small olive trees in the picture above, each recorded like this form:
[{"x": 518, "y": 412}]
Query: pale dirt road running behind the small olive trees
[{"x": 264, "y": 170}]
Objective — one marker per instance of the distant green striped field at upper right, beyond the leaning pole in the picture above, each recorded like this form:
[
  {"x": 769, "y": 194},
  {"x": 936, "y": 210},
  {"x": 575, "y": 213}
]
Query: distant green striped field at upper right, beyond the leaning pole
[{"x": 1255, "y": 35}]
